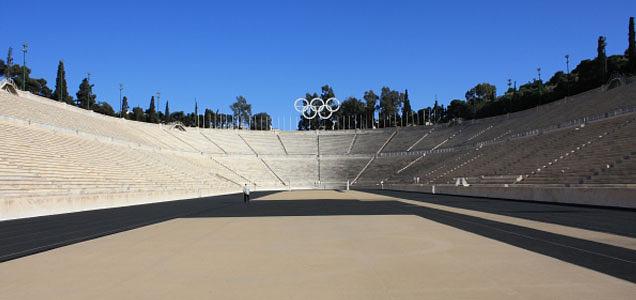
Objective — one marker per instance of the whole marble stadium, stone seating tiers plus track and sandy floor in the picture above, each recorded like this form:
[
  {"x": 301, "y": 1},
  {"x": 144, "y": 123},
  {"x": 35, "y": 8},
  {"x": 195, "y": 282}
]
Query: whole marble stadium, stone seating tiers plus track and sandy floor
[{"x": 534, "y": 204}]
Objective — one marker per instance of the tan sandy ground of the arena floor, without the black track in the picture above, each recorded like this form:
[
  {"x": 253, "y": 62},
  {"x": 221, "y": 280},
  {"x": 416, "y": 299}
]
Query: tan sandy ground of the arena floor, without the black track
[{"x": 304, "y": 257}]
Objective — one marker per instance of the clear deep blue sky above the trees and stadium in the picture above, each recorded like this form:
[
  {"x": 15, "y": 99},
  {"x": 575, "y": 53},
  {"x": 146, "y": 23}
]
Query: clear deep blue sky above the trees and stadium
[{"x": 272, "y": 52}]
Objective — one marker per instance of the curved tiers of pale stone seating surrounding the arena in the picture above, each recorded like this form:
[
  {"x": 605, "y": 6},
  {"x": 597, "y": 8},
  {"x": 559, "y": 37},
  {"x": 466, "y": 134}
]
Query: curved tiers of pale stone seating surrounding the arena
[{"x": 53, "y": 149}]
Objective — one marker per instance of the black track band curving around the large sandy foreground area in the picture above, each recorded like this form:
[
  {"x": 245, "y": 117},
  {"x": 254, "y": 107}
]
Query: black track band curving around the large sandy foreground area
[{"x": 22, "y": 237}]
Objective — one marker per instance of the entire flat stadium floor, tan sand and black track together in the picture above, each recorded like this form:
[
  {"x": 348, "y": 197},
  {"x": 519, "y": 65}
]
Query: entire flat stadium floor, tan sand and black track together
[{"x": 323, "y": 244}]
